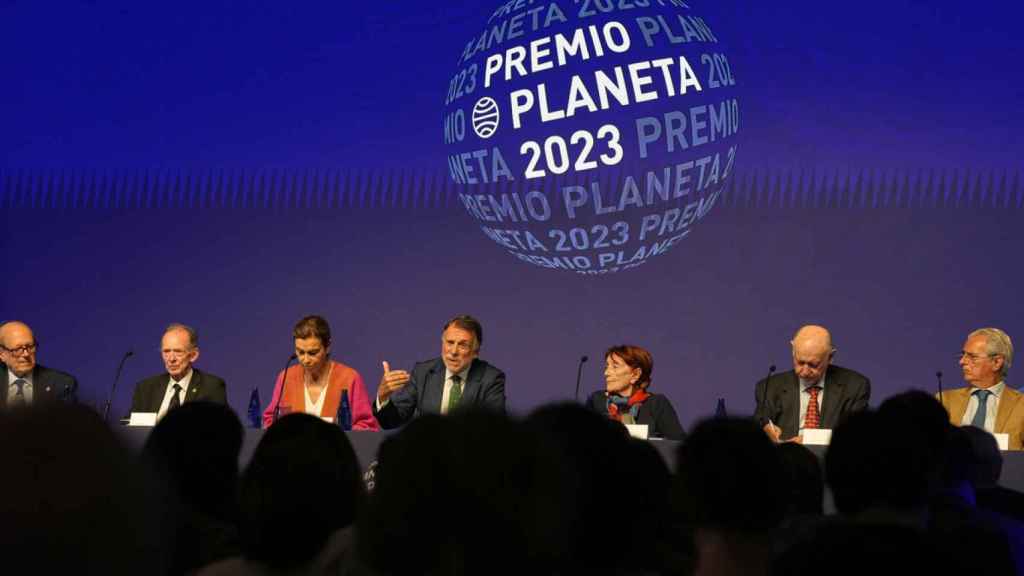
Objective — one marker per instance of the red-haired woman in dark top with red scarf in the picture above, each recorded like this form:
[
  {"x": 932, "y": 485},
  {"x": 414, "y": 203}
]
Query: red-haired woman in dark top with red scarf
[{"x": 627, "y": 378}]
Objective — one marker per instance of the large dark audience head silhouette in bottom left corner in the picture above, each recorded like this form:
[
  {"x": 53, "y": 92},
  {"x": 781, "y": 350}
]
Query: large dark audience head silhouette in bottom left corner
[{"x": 75, "y": 502}]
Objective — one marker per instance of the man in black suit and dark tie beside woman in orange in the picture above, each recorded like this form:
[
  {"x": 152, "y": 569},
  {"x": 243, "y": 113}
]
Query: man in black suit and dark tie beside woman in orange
[{"x": 182, "y": 383}]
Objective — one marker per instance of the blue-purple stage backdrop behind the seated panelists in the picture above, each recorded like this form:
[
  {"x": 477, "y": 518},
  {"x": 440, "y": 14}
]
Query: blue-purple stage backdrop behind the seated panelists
[{"x": 235, "y": 168}]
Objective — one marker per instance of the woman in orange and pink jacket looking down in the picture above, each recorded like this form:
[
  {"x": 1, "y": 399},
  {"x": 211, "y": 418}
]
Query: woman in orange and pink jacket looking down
[{"x": 317, "y": 387}]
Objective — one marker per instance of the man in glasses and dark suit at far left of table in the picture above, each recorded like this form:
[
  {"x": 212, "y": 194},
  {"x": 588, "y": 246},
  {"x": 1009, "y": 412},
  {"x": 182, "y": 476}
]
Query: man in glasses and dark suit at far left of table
[{"x": 26, "y": 383}]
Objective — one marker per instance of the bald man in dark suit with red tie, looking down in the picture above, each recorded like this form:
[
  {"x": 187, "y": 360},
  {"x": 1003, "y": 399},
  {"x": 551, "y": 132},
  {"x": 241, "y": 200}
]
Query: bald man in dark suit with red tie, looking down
[{"x": 815, "y": 395}]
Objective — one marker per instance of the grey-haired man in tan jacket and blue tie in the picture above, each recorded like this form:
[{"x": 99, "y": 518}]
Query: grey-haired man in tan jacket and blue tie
[{"x": 989, "y": 403}]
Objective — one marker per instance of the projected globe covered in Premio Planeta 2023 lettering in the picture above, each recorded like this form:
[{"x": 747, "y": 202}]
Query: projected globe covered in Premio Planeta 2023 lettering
[{"x": 591, "y": 136}]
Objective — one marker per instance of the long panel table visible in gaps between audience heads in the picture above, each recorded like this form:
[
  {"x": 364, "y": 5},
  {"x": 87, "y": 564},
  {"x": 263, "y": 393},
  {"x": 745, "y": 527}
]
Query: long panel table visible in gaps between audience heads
[{"x": 367, "y": 443}]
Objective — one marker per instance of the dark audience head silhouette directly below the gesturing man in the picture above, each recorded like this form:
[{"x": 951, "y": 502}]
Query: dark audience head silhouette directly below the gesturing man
[{"x": 452, "y": 496}]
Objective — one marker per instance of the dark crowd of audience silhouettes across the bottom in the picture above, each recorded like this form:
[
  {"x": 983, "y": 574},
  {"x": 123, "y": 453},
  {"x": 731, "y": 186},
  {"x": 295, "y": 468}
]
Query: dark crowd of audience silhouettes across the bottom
[{"x": 563, "y": 491}]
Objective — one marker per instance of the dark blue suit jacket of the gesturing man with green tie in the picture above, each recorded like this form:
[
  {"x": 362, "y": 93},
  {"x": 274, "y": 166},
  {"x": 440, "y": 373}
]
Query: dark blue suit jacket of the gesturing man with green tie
[{"x": 485, "y": 388}]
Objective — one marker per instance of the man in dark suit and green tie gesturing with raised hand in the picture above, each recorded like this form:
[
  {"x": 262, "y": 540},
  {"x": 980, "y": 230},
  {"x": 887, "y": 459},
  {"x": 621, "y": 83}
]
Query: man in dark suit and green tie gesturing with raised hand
[{"x": 458, "y": 379}]
